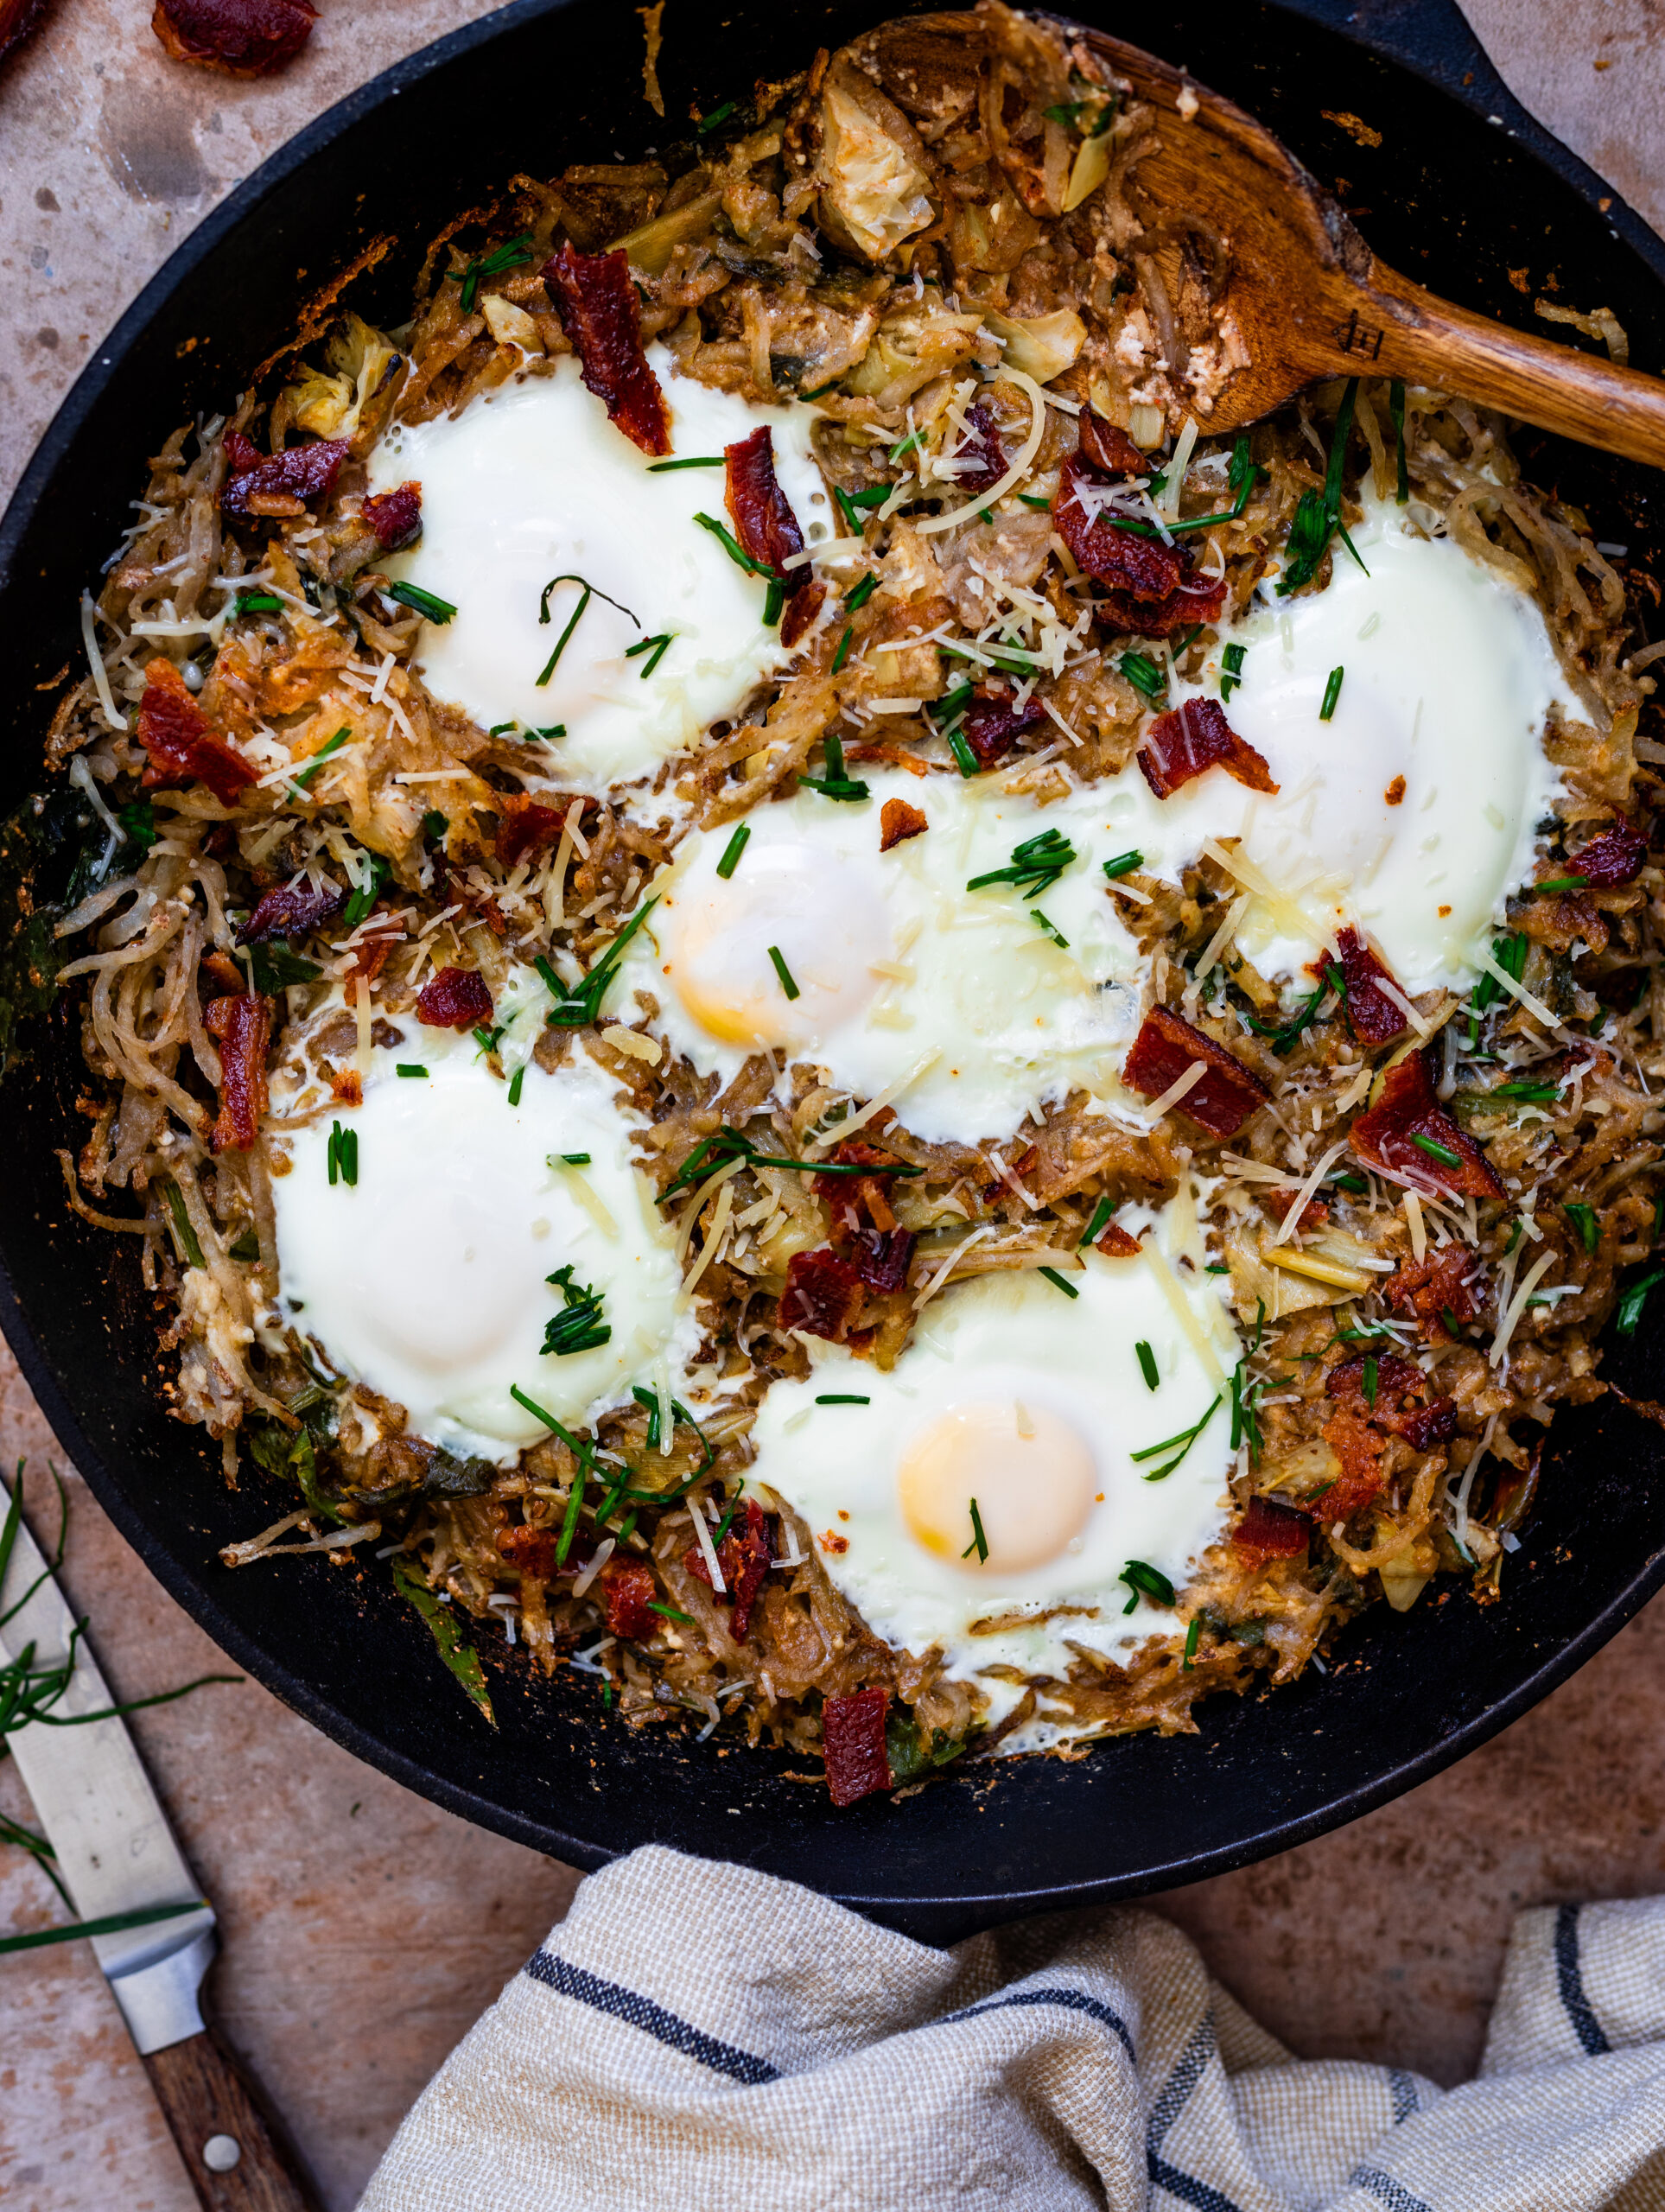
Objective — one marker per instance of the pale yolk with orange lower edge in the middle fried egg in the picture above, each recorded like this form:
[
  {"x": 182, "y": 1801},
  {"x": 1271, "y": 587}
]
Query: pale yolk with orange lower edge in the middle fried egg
[{"x": 810, "y": 908}]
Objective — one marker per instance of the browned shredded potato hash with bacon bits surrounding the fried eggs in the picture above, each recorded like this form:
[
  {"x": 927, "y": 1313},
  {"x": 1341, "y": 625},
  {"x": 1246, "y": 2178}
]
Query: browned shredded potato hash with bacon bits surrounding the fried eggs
[{"x": 939, "y": 233}]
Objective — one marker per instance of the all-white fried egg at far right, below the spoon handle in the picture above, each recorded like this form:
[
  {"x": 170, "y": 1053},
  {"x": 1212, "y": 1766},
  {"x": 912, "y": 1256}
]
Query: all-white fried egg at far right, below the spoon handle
[{"x": 1416, "y": 808}]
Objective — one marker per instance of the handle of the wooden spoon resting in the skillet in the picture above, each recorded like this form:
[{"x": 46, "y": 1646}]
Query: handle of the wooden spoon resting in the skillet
[{"x": 1394, "y": 328}]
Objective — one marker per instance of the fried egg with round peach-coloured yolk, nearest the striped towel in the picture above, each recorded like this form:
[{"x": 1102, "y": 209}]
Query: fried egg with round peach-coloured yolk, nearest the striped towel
[{"x": 1038, "y": 1408}]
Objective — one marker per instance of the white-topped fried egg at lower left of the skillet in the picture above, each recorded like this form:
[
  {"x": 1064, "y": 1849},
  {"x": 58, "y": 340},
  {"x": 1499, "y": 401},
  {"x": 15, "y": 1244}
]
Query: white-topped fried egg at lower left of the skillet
[{"x": 430, "y": 1275}]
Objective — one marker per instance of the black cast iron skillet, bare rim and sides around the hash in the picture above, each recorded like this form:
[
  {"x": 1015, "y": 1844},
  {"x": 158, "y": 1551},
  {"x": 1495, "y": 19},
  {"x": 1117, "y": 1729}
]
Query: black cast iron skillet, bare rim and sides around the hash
[{"x": 1449, "y": 198}]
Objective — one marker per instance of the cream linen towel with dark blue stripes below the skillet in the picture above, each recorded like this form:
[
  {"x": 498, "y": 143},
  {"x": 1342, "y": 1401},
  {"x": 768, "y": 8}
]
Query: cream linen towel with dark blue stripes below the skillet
[{"x": 704, "y": 2038}]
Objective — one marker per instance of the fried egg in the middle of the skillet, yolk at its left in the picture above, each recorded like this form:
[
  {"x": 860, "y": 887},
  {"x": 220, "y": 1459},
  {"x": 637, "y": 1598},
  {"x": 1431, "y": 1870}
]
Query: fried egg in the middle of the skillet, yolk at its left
[{"x": 970, "y": 1008}]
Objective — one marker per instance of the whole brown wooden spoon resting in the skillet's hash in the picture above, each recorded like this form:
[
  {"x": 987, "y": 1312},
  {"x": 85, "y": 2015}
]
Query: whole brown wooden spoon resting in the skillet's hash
[{"x": 1312, "y": 300}]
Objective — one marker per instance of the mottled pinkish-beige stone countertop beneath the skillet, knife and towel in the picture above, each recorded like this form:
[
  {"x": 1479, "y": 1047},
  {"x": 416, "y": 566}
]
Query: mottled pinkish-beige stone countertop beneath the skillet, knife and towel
[{"x": 364, "y": 1930}]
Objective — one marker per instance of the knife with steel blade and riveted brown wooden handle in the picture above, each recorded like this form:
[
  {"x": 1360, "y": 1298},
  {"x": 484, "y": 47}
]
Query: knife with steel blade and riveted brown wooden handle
[{"x": 116, "y": 1855}]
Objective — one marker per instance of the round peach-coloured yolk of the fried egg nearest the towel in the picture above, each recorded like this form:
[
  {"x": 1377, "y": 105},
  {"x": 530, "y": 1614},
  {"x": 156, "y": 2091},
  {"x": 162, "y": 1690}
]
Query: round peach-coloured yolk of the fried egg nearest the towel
[{"x": 1029, "y": 1472}]
